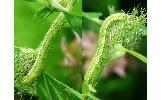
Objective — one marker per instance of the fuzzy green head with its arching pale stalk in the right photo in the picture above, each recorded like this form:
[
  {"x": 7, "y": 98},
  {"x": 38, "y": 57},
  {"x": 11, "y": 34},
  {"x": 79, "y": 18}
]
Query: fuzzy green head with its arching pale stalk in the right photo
[{"x": 118, "y": 31}]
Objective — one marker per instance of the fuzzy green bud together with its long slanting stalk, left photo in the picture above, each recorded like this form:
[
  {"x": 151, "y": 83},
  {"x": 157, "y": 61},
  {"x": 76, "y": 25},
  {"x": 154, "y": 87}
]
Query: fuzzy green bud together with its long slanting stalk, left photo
[{"x": 29, "y": 64}]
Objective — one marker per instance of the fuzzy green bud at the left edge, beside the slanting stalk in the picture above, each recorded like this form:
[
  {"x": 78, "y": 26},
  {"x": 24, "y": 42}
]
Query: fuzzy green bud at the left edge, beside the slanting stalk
[{"x": 24, "y": 59}]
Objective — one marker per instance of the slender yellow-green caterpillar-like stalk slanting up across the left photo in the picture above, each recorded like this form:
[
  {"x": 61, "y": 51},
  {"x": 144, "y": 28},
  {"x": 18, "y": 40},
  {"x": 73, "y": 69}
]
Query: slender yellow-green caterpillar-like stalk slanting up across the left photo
[{"x": 45, "y": 47}]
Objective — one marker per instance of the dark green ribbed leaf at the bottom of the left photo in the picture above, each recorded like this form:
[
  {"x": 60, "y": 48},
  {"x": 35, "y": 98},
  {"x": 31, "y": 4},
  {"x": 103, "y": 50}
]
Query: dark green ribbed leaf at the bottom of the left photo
[{"x": 57, "y": 90}]
